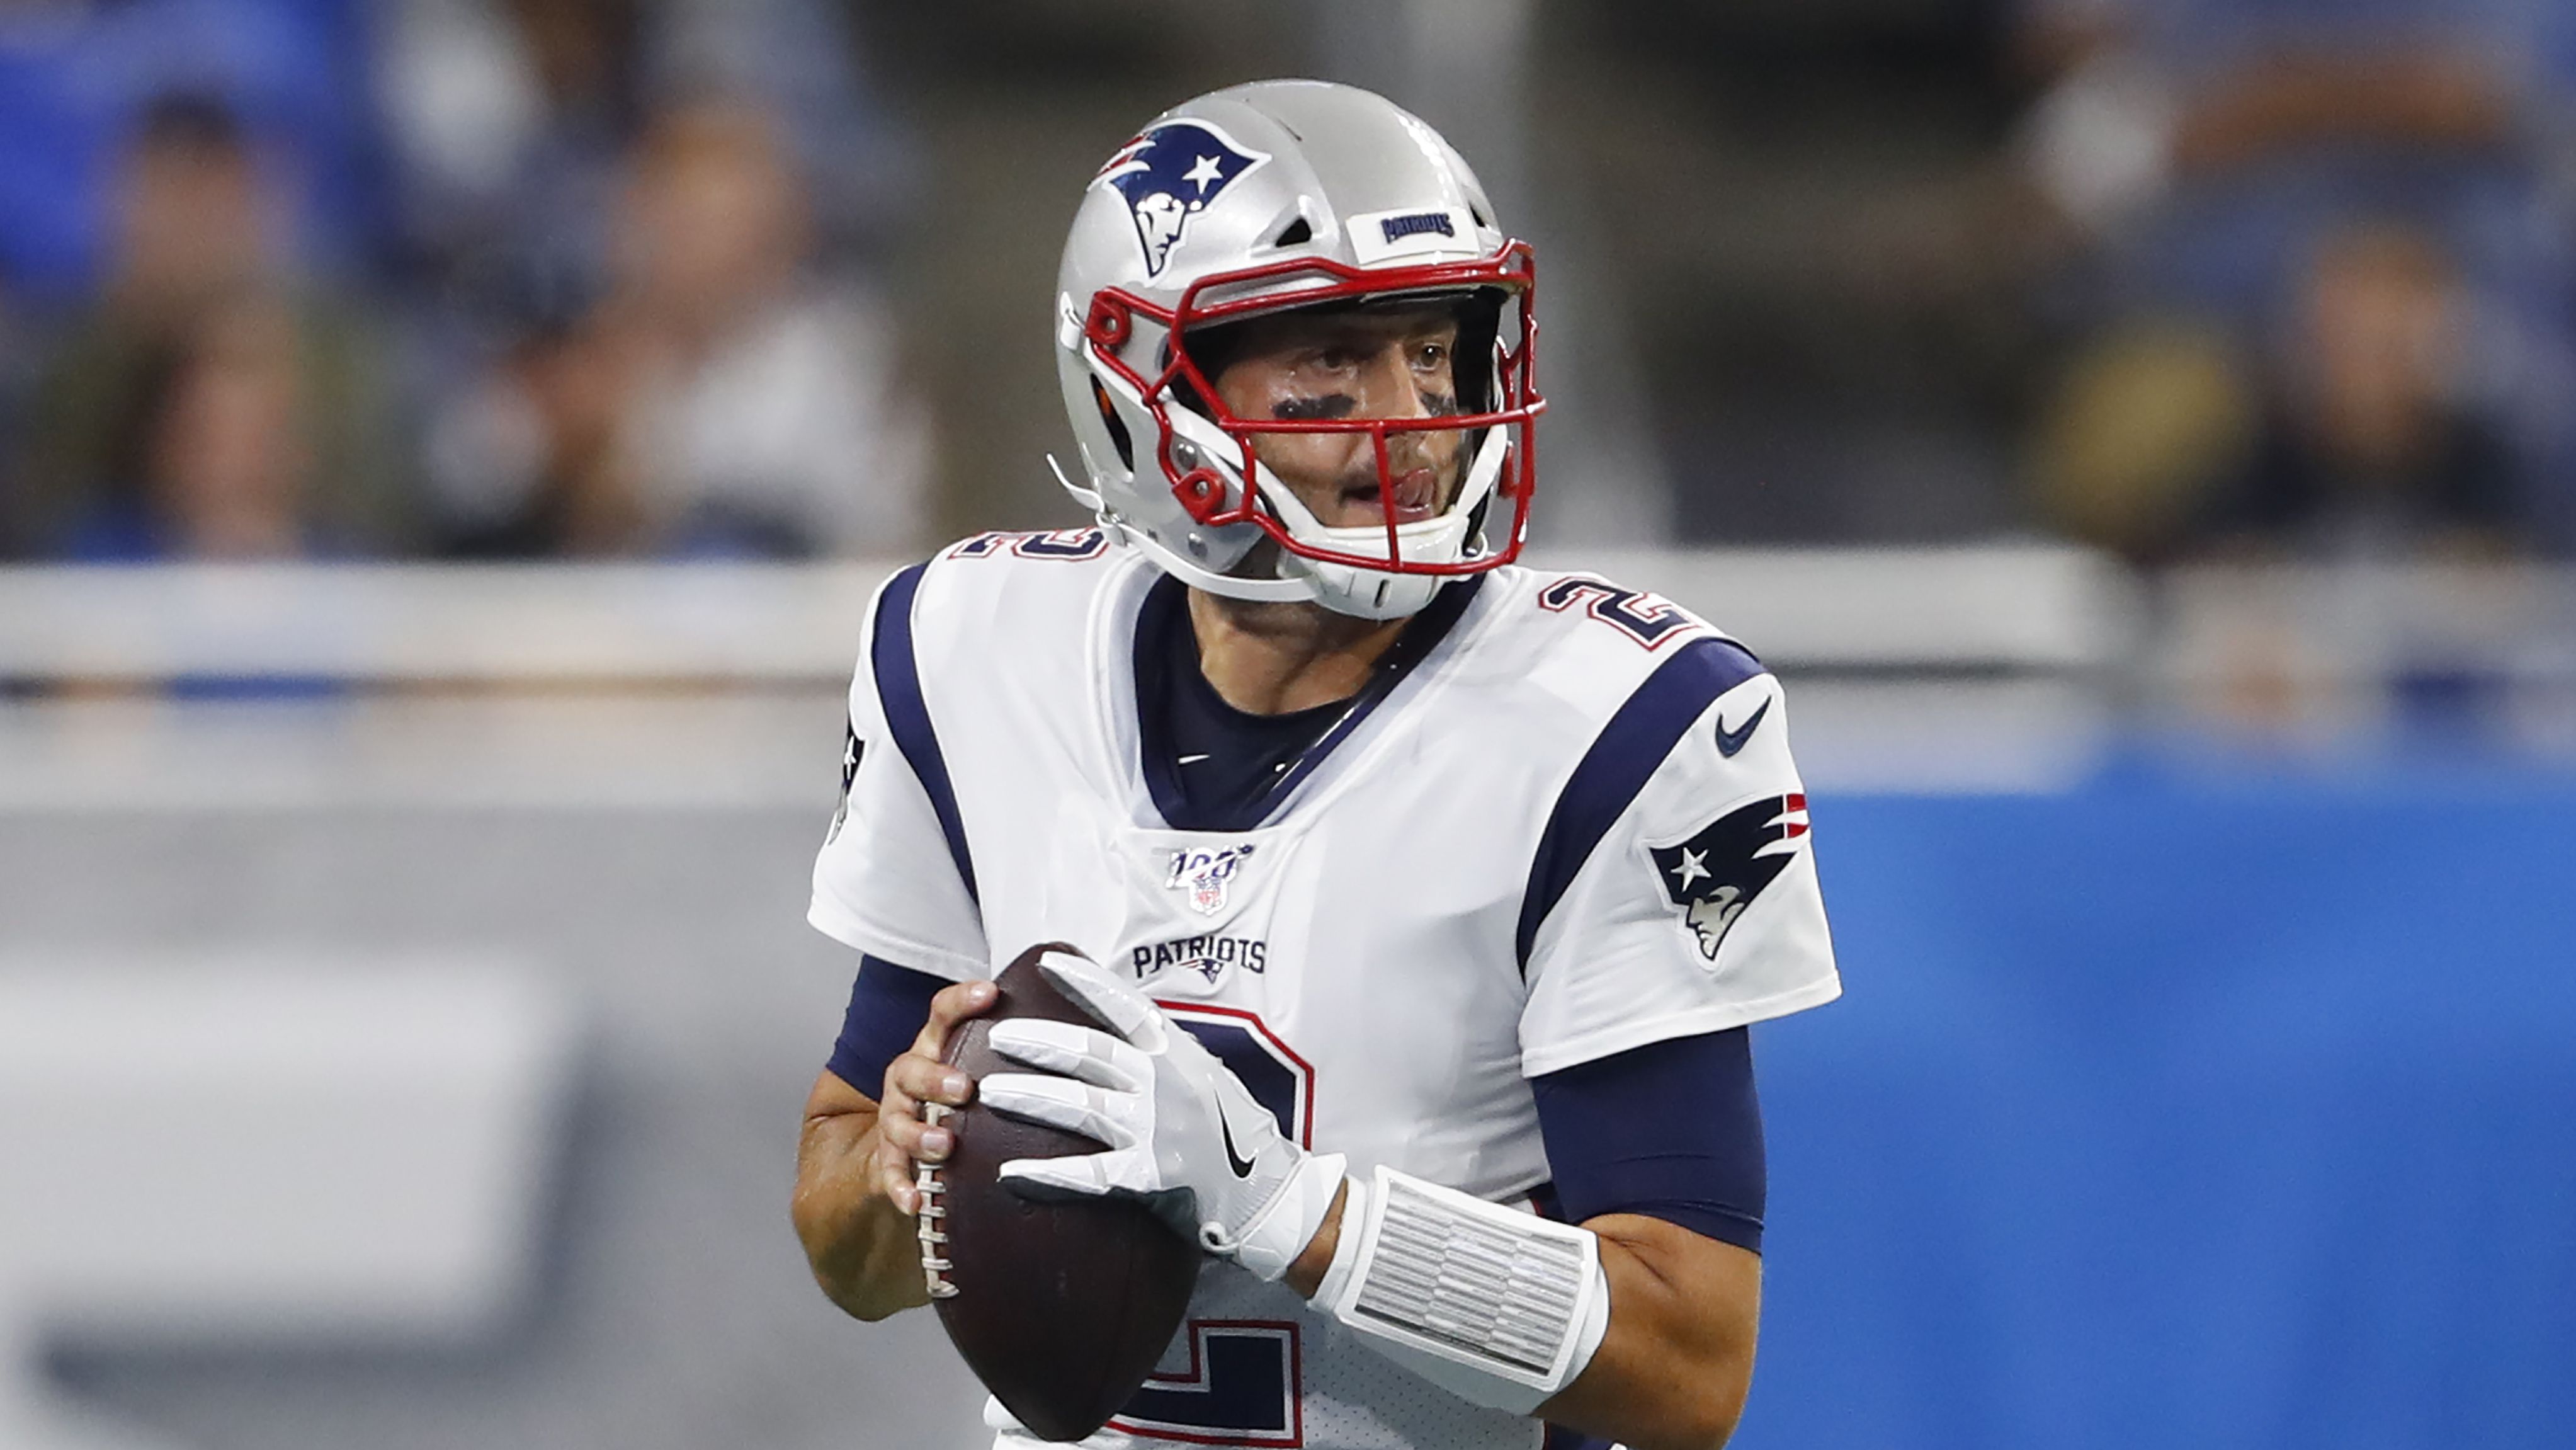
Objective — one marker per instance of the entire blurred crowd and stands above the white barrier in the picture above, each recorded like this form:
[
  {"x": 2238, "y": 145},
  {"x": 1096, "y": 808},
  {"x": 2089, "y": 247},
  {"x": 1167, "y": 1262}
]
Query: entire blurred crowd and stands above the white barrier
[{"x": 540, "y": 279}]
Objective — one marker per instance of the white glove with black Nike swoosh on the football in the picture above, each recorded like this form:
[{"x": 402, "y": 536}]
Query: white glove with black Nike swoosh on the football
[{"x": 1184, "y": 1135}]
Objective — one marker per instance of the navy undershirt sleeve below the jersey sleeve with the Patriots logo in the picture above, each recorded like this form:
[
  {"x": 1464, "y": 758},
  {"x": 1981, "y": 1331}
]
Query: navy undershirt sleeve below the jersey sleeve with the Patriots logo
[{"x": 1671, "y": 1129}]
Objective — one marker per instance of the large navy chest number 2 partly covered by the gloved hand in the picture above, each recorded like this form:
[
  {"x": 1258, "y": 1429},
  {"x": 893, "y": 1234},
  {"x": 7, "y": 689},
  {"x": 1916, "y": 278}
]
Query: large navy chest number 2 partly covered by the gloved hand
[{"x": 1243, "y": 1384}]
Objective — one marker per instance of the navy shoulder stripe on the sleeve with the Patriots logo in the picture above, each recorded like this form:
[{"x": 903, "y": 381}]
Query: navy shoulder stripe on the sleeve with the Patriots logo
[{"x": 1616, "y": 769}]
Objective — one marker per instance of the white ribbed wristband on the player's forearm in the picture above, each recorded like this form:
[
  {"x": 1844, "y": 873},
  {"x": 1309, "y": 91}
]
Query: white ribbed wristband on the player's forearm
[{"x": 1488, "y": 1302}]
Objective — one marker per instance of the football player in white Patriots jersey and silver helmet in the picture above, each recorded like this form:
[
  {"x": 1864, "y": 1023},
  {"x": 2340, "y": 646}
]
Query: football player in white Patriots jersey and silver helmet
[{"x": 1426, "y": 898}]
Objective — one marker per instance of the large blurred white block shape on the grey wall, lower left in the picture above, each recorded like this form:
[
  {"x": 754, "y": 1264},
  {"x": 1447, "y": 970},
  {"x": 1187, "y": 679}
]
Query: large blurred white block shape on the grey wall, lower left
[{"x": 220, "y": 1150}]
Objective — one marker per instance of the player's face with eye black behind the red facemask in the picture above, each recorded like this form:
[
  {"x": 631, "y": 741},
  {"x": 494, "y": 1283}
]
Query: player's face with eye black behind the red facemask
[{"x": 1351, "y": 367}]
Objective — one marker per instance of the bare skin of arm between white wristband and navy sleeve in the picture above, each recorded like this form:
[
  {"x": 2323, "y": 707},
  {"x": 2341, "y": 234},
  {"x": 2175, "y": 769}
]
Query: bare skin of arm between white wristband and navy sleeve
[{"x": 1681, "y": 1351}]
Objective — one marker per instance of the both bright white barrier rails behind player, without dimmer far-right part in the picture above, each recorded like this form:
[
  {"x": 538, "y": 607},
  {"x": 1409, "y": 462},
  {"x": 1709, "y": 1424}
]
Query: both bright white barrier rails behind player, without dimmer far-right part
[{"x": 692, "y": 686}]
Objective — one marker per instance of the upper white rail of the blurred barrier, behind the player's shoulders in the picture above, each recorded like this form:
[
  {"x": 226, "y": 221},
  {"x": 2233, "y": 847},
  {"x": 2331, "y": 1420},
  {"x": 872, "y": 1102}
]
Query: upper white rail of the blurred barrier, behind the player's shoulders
[{"x": 2021, "y": 607}]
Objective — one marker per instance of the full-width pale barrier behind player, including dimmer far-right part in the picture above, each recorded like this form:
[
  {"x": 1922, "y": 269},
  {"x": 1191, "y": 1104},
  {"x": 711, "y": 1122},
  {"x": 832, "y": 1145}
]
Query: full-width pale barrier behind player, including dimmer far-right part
[{"x": 710, "y": 686}]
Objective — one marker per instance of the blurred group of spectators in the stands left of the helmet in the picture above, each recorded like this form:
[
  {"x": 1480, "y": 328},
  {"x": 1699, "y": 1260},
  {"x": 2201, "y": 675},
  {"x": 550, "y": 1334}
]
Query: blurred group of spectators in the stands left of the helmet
[{"x": 452, "y": 279}]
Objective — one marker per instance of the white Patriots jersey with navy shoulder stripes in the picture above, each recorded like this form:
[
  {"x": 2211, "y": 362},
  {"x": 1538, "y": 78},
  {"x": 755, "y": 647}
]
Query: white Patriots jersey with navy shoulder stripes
[{"x": 1573, "y": 828}]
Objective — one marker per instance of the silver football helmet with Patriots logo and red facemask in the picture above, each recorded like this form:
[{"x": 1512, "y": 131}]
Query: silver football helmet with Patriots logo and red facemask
[{"x": 1251, "y": 202}]
